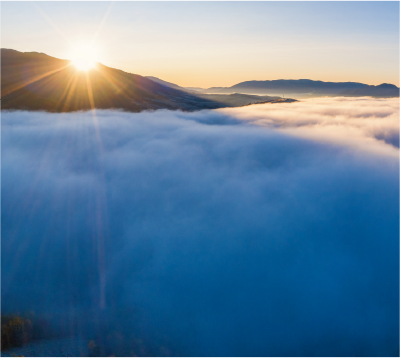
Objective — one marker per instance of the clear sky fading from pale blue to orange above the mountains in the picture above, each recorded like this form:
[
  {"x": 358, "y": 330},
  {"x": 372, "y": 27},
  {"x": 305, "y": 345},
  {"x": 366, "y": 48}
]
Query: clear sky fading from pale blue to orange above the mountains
[{"x": 218, "y": 42}]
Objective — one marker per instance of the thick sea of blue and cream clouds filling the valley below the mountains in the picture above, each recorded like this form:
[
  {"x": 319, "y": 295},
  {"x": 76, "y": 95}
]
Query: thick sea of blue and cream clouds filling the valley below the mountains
[{"x": 262, "y": 231}]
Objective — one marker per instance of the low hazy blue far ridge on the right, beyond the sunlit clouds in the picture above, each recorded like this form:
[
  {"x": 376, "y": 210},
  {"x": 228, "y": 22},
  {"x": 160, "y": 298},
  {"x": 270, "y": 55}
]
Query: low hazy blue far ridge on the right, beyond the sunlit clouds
[{"x": 308, "y": 88}]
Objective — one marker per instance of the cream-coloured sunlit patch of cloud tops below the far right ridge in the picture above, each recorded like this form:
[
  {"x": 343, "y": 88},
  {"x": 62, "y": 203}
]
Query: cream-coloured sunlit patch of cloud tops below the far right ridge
[{"x": 364, "y": 123}]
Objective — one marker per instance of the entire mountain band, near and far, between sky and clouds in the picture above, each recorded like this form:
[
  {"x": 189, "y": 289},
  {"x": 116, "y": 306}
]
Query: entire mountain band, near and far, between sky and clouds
[{"x": 36, "y": 81}]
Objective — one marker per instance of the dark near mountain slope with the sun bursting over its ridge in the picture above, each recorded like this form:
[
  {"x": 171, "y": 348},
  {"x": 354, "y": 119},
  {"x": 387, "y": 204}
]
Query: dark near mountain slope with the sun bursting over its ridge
[{"x": 36, "y": 81}]
